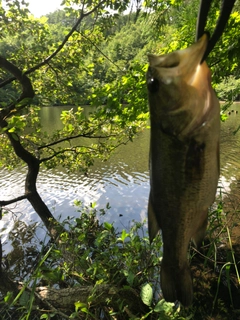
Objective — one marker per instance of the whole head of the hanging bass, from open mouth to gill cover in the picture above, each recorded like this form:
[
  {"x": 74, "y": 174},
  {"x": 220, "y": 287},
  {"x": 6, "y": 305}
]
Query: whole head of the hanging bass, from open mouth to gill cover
[{"x": 179, "y": 83}]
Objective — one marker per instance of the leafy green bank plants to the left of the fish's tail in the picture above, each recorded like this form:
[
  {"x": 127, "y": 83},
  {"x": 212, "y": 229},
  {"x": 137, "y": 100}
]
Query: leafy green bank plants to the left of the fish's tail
[{"x": 120, "y": 268}]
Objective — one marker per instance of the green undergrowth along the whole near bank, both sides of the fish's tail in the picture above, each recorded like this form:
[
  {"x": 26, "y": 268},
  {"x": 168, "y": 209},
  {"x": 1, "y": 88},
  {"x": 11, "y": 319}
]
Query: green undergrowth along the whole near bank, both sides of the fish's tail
[{"x": 120, "y": 270}]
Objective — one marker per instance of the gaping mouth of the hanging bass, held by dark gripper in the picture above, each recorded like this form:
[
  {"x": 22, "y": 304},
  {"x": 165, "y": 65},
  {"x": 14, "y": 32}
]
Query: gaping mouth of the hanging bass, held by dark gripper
[{"x": 180, "y": 63}]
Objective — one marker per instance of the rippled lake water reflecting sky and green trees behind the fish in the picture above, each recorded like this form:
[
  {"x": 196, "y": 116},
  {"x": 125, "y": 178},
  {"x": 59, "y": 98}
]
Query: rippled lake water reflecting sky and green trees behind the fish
[{"x": 123, "y": 181}]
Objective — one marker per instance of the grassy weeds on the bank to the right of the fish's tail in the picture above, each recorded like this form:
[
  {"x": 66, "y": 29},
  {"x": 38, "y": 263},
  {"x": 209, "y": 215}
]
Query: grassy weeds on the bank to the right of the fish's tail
[{"x": 216, "y": 267}]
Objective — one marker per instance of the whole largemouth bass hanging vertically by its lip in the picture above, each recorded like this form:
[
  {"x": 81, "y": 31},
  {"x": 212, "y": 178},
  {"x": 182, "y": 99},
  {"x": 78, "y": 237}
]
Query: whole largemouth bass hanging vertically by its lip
[{"x": 184, "y": 159}]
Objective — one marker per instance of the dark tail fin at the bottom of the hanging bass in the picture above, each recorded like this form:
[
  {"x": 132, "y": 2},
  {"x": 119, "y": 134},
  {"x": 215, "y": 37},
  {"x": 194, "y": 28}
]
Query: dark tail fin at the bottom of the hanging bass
[{"x": 177, "y": 284}]
